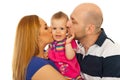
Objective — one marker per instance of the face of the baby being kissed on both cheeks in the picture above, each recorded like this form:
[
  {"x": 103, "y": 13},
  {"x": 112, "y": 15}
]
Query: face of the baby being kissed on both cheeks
[{"x": 59, "y": 29}]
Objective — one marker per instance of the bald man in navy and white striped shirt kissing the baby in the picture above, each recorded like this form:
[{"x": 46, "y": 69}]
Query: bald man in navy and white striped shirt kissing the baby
[{"x": 98, "y": 55}]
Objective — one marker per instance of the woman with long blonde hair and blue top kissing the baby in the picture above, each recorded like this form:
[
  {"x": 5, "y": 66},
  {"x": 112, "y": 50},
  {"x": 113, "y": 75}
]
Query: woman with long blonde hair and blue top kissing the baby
[{"x": 29, "y": 61}]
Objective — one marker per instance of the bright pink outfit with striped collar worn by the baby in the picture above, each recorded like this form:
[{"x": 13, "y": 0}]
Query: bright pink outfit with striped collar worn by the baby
[{"x": 56, "y": 53}]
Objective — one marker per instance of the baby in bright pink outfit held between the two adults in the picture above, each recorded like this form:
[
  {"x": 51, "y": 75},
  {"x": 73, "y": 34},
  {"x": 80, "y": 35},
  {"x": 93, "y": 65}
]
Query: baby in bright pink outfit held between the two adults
[{"x": 63, "y": 50}]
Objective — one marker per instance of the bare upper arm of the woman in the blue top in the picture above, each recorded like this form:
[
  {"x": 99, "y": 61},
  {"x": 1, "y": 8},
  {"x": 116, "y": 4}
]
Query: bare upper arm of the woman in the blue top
[{"x": 47, "y": 72}]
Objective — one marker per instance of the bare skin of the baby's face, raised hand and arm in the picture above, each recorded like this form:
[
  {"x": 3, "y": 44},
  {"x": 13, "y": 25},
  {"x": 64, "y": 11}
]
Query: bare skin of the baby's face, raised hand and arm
[{"x": 59, "y": 31}]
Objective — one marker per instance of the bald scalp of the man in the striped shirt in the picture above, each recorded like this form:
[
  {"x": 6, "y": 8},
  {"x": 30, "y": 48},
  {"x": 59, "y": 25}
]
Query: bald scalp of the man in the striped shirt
[{"x": 91, "y": 13}]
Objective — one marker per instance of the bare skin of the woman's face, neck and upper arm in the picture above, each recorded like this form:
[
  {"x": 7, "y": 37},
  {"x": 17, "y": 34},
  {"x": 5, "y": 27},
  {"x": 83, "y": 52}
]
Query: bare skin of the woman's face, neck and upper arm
[{"x": 44, "y": 73}]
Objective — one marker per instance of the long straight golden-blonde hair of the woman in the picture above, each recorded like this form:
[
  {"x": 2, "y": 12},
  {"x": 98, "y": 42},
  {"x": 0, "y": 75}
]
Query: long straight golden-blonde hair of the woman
[{"x": 25, "y": 45}]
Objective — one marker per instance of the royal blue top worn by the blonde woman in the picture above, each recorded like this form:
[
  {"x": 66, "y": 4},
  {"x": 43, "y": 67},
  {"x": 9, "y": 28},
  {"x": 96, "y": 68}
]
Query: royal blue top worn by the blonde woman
[{"x": 35, "y": 64}]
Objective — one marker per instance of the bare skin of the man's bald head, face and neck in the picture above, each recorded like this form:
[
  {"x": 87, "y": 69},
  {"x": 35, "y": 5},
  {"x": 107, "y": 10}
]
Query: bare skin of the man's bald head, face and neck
[{"x": 85, "y": 22}]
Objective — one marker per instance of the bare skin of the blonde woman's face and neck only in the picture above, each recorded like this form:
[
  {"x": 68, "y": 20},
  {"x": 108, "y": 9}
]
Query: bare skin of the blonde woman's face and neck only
[{"x": 45, "y": 32}]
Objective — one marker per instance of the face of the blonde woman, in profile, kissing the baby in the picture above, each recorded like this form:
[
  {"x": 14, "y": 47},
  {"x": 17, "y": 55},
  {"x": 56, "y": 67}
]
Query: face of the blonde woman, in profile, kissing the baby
[{"x": 45, "y": 32}]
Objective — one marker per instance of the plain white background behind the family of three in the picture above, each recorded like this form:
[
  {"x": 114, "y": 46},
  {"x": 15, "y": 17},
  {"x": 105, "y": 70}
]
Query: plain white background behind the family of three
[{"x": 11, "y": 11}]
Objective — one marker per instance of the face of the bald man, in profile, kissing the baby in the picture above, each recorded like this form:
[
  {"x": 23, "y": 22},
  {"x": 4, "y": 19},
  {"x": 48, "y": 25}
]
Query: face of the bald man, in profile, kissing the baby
[{"x": 76, "y": 24}]
